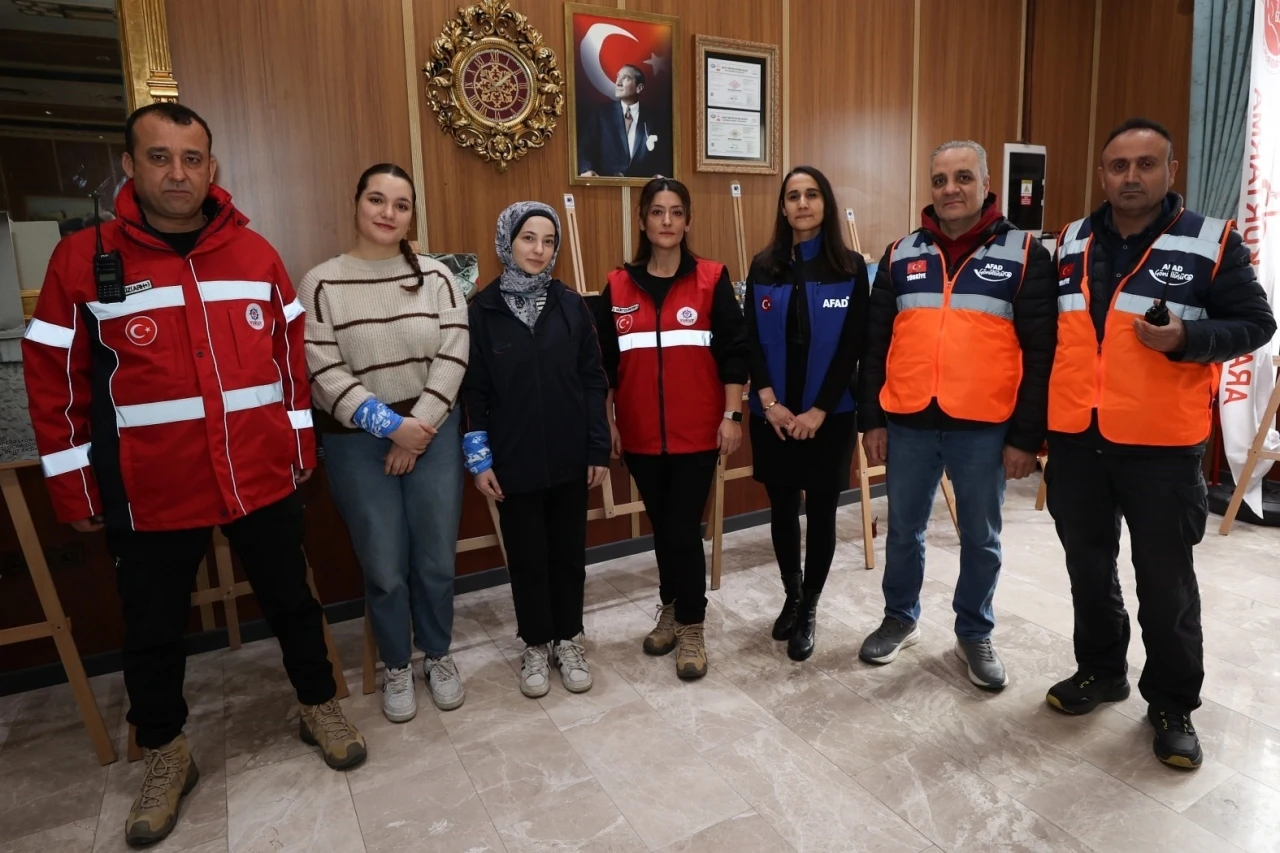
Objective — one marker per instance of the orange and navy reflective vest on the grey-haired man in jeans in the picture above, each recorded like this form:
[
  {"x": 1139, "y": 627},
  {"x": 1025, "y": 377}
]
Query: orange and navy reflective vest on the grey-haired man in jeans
[{"x": 954, "y": 339}]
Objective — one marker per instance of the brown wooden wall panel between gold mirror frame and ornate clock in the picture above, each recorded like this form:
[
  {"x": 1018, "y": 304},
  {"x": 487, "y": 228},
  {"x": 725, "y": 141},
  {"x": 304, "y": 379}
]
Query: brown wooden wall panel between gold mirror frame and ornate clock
[{"x": 301, "y": 95}]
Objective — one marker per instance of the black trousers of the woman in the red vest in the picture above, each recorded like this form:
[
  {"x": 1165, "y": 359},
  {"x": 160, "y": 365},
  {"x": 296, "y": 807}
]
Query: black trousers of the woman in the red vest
[{"x": 674, "y": 489}]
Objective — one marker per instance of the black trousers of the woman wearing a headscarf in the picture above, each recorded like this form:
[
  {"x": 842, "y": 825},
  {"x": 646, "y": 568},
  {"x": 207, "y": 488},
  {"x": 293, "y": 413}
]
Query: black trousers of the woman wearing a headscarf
[{"x": 546, "y": 539}]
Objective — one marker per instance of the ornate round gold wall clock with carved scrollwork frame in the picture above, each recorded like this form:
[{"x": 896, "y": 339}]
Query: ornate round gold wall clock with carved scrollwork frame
[{"x": 493, "y": 85}]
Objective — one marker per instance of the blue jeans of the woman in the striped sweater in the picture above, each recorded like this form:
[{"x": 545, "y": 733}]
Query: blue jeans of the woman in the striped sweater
[{"x": 406, "y": 532}]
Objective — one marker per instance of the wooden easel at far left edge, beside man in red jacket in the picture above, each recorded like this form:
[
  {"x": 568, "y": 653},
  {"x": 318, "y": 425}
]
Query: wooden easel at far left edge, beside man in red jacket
[{"x": 56, "y": 626}]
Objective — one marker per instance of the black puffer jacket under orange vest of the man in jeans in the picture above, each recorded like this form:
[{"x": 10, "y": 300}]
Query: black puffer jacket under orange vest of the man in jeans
[{"x": 1035, "y": 323}]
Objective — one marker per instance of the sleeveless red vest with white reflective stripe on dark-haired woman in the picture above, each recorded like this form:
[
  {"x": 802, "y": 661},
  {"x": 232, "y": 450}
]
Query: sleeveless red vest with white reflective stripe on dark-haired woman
[{"x": 670, "y": 398}]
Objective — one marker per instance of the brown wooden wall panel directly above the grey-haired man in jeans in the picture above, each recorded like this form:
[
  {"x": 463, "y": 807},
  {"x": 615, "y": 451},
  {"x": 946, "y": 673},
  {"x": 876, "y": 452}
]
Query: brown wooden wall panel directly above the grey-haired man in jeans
[{"x": 968, "y": 86}]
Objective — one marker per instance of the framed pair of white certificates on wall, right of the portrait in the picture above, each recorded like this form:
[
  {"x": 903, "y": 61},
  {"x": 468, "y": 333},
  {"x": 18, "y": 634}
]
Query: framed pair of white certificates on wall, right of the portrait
[{"x": 738, "y": 107}]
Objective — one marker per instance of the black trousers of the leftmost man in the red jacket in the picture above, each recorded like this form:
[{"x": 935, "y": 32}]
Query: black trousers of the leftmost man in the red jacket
[{"x": 156, "y": 574}]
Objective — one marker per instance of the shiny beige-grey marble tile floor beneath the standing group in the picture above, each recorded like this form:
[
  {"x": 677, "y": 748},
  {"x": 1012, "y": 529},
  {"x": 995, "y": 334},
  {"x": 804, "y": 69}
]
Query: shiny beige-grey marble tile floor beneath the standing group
[{"x": 764, "y": 755}]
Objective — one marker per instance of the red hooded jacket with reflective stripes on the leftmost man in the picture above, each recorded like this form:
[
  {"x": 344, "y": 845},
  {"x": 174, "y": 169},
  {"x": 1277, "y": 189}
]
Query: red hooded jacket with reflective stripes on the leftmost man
[{"x": 188, "y": 405}]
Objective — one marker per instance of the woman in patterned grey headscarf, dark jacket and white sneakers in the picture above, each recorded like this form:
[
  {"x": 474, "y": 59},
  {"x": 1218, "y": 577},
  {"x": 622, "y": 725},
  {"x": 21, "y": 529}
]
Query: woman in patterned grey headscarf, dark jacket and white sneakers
[{"x": 538, "y": 439}]
